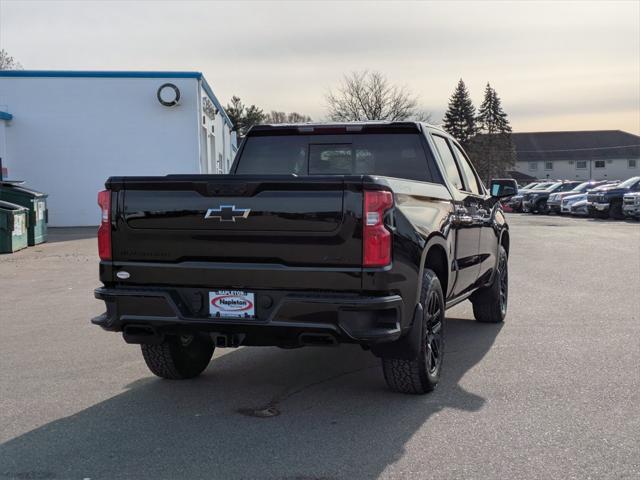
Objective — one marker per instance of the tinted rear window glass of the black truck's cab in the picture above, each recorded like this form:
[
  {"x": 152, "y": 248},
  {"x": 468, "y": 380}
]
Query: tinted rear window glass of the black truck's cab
[{"x": 399, "y": 155}]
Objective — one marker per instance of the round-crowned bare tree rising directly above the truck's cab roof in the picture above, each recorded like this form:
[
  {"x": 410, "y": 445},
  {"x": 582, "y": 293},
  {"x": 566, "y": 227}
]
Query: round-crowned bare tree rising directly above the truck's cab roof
[{"x": 369, "y": 96}]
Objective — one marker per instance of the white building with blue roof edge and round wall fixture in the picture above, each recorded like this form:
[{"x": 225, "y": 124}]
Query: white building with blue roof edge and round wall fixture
[{"x": 65, "y": 133}]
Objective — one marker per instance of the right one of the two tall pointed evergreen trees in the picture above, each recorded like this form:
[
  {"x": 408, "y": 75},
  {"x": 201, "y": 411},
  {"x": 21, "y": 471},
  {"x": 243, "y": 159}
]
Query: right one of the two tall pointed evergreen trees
[{"x": 492, "y": 150}]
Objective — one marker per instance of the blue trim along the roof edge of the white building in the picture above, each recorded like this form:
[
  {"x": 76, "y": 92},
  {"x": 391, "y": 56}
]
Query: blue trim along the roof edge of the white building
[{"x": 120, "y": 74}]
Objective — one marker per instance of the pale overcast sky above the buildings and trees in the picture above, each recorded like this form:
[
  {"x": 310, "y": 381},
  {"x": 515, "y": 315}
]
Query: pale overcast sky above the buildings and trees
[{"x": 556, "y": 65}]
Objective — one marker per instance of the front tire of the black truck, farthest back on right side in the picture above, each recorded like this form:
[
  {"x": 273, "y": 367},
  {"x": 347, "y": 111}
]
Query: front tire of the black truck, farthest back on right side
[{"x": 490, "y": 303}]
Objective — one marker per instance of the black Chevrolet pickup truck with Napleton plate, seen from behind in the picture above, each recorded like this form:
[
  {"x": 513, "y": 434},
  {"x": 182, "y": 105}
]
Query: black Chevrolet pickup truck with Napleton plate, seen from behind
[{"x": 322, "y": 234}]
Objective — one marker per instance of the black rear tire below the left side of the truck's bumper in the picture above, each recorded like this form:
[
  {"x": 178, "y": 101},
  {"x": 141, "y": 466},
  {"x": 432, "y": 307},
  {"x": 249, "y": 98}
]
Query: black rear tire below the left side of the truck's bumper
[{"x": 179, "y": 357}]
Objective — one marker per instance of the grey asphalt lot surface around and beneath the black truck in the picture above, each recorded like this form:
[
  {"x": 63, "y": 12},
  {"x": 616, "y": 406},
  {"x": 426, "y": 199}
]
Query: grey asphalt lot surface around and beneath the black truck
[{"x": 554, "y": 393}]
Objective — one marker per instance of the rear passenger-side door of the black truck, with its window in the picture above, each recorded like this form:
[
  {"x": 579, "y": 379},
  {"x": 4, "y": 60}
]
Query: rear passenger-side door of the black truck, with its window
[{"x": 465, "y": 219}]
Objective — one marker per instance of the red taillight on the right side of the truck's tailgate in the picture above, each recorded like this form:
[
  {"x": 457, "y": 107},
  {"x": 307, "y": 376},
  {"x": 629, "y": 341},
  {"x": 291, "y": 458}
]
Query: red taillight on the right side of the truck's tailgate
[{"x": 376, "y": 239}]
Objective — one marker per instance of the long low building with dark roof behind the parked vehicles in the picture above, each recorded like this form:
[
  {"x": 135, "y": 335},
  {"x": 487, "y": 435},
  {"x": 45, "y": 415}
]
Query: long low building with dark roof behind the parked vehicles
[{"x": 578, "y": 155}]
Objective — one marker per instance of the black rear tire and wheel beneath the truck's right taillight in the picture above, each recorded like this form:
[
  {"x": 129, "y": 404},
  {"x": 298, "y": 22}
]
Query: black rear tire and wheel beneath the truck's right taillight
[{"x": 421, "y": 375}]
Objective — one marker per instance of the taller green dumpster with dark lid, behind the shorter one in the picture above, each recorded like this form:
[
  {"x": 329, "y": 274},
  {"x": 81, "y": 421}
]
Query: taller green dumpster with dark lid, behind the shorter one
[{"x": 36, "y": 204}]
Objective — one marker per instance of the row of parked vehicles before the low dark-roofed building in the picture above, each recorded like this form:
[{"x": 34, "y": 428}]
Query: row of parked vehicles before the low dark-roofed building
[{"x": 600, "y": 199}]
